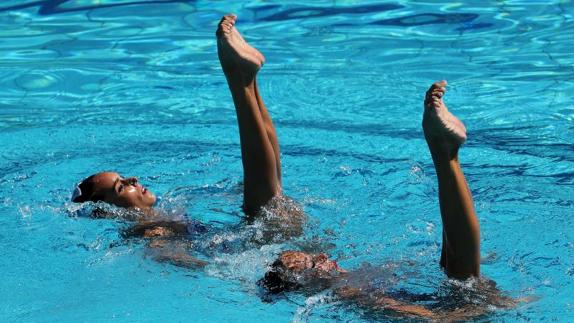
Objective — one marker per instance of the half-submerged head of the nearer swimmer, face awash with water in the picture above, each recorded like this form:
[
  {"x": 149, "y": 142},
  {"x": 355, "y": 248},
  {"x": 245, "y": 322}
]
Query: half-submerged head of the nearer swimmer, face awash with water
[{"x": 294, "y": 269}]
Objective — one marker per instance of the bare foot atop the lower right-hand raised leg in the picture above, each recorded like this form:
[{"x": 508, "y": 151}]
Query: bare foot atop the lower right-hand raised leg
[{"x": 443, "y": 131}]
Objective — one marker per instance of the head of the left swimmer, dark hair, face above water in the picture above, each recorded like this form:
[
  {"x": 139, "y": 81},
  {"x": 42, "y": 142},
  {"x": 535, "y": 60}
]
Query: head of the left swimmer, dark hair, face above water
[{"x": 114, "y": 189}]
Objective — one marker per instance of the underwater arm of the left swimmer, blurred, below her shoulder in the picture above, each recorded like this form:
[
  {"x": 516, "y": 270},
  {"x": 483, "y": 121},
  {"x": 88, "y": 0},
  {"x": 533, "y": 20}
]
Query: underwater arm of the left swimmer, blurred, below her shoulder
[{"x": 171, "y": 252}]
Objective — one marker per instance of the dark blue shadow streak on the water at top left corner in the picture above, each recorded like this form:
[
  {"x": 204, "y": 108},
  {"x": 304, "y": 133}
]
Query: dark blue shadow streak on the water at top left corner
[{"x": 51, "y": 7}]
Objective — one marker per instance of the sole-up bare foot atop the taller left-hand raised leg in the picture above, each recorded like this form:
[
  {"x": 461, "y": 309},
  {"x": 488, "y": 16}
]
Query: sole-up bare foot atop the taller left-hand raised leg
[{"x": 235, "y": 54}]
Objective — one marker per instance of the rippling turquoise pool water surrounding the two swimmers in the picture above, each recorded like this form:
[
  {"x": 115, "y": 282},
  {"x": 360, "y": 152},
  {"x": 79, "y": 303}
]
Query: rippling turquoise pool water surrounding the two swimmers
[{"x": 136, "y": 87}]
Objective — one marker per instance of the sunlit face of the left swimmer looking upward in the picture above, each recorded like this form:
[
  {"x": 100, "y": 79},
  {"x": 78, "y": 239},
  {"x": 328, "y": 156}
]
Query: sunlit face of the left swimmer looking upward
[{"x": 123, "y": 192}]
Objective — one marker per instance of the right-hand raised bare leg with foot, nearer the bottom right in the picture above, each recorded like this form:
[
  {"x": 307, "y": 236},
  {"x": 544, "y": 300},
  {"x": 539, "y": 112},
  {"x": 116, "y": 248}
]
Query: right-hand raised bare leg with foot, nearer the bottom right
[{"x": 444, "y": 134}]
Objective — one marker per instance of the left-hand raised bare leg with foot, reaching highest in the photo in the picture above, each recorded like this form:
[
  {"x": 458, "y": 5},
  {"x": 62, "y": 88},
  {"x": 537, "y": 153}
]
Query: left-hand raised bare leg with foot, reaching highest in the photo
[{"x": 240, "y": 63}]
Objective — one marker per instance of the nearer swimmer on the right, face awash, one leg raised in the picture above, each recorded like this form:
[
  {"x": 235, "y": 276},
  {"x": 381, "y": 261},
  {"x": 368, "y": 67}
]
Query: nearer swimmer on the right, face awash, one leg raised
[{"x": 460, "y": 255}]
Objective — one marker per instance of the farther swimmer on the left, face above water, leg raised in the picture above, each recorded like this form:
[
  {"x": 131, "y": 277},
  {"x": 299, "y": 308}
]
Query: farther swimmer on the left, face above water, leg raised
[{"x": 259, "y": 153}]
